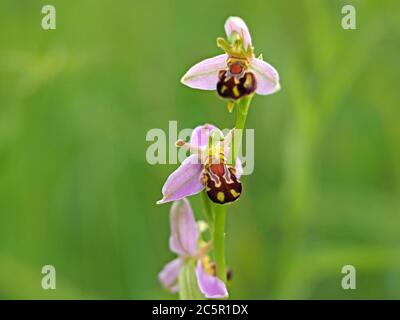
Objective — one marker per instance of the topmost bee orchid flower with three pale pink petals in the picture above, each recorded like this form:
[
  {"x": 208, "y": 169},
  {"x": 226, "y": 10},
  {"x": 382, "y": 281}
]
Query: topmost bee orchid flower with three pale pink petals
[{"x": 237, "y": 72}]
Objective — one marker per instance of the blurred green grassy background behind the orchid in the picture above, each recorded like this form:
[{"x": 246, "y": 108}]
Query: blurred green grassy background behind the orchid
[{"x": 76, "y": 103}]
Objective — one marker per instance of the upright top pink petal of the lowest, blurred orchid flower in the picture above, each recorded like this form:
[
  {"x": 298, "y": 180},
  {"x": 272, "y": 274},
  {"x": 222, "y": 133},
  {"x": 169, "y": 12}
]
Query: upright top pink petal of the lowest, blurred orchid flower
[{"x": 184, "y": 232}]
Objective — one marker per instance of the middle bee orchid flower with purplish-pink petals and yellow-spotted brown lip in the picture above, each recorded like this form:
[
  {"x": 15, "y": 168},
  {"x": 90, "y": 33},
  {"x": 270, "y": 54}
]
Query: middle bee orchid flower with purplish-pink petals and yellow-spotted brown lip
[{"x": 206, "y": 168}]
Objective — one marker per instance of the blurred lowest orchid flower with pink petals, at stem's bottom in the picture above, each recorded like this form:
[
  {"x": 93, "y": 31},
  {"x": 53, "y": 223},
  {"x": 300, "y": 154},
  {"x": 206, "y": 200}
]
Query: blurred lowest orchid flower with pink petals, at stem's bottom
[{"x": 184, "y": 241}]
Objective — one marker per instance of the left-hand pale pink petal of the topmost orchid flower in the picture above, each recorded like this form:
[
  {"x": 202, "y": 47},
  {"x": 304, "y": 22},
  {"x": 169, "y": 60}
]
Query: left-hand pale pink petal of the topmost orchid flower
[{"x": 204, "y": 75}]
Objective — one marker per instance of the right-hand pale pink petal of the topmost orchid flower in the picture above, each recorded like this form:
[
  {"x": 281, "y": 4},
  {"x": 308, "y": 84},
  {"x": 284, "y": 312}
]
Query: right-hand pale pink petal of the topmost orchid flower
[{"x": 266, "y": 75}]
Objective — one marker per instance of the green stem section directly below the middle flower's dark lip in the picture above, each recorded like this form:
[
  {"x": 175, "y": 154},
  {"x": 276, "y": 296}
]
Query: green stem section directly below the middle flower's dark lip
[{"x": 219, "y": 241}]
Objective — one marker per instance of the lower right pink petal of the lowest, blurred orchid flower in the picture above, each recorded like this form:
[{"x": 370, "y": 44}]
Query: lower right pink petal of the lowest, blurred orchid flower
[{"x": 210, "y": 286}]
